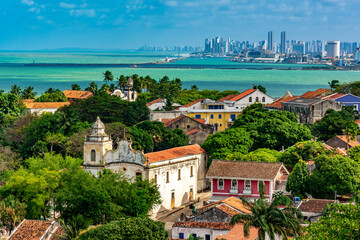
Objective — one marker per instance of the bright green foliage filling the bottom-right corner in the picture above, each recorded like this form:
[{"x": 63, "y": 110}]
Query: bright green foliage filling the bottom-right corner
[{"x": 341, "y": 222}]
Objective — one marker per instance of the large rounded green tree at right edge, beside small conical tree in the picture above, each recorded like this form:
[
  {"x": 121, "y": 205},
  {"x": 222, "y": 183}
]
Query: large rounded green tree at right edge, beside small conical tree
[{"x": 334, "y": 175}]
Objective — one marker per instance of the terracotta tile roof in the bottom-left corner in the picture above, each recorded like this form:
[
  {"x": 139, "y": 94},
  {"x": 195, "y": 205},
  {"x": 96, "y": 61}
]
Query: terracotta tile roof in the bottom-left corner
[{"x": 30, "y": 230}]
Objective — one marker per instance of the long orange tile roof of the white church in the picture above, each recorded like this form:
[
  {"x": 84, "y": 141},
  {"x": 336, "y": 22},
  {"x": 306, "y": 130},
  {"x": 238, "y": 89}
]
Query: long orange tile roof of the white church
[{"x": 174, "y": 153}]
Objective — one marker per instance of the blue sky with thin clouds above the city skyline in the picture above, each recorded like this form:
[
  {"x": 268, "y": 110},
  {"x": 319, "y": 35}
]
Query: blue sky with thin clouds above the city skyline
[{"x": 129, "y": 24}]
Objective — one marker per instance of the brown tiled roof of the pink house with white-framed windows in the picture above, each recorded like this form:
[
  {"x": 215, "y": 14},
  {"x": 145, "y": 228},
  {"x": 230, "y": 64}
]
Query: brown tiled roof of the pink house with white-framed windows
[{"x": 239, "y": 169}]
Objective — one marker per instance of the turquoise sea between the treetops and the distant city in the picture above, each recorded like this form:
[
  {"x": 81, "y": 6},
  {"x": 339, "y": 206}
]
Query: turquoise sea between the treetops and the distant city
[{"x": 214, "y": 73}]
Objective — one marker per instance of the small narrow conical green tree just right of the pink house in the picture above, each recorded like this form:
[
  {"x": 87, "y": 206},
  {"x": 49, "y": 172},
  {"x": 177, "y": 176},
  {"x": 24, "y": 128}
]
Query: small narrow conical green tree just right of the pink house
[{"x": 298, "y": 181}]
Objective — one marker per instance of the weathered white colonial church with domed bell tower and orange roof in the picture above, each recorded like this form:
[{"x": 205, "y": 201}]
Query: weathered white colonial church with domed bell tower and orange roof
[{"x": 179, "y": 172}]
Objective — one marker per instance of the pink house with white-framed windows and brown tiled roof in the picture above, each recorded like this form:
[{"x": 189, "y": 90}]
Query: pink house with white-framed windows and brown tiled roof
[{"x": 241, "y": 179}]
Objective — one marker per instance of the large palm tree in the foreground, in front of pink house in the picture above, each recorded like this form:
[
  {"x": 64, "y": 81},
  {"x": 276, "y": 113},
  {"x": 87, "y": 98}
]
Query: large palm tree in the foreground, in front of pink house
[{"x": 268, "y": 218}]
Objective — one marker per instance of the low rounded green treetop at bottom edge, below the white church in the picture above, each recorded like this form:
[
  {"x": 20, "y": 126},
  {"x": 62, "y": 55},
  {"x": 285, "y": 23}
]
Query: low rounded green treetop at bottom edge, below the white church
[{"x": 127, "y": 228}]
